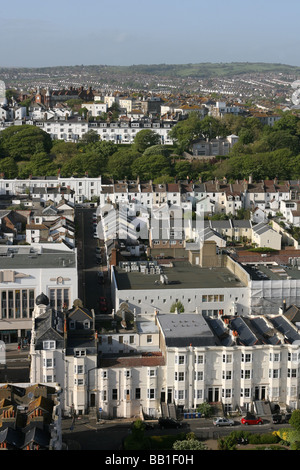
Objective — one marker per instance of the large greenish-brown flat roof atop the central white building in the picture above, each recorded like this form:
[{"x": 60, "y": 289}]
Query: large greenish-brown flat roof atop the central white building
[{"x": 181, "y": 275}]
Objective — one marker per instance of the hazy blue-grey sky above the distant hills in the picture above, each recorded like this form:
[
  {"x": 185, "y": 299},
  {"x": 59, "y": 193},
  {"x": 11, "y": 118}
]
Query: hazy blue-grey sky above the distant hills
[{"x": 131, "y": 32}]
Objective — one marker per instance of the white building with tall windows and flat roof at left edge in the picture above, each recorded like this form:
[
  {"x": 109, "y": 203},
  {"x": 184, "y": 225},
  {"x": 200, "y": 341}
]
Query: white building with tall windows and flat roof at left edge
[{"x": 25, "y": 272}]
